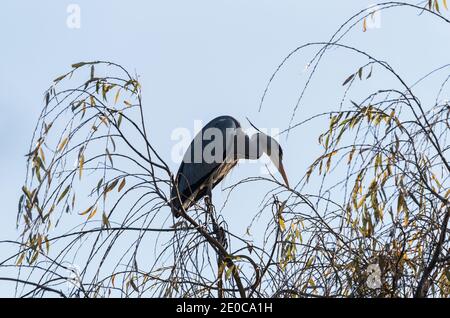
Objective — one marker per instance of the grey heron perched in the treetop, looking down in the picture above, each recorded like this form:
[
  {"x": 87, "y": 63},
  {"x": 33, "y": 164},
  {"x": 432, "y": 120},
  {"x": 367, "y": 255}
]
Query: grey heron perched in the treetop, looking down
[{"x": 215, "y": 150}]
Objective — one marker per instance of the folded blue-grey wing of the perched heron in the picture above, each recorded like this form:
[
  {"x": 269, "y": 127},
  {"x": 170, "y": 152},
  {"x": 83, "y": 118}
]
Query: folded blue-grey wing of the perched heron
[{"x": 201, "y": 161}]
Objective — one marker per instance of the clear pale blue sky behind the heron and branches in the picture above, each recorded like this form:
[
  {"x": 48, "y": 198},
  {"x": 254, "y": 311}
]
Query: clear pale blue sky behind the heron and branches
[{"x": 197, "y": 60}]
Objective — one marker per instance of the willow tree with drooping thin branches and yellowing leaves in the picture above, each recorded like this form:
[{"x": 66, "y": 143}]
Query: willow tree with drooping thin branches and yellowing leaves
[{"x": 377, "y": 224}]
